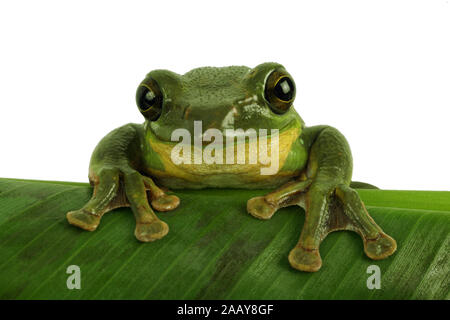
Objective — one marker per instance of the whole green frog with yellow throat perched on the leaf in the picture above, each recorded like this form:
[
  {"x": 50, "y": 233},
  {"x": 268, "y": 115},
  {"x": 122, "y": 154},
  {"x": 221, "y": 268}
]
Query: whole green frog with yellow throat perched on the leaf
[{"x": 133, "y": 166}]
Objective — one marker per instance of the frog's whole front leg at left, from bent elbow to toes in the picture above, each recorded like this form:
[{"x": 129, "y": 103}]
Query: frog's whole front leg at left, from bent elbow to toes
[{"x": 117, "y": 183}]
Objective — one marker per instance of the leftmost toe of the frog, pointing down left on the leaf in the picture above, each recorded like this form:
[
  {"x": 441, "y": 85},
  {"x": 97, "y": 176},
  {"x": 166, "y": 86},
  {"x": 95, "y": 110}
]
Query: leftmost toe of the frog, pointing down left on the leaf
[{"x": 104, "y": 198}]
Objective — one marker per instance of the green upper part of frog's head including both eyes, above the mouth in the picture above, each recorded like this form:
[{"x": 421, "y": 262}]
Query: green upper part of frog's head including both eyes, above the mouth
[{"x": 234, "y": 97}]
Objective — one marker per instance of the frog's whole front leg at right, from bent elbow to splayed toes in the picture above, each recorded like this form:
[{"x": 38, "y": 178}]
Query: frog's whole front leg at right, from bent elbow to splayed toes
[{"x": 330, "y": 204}]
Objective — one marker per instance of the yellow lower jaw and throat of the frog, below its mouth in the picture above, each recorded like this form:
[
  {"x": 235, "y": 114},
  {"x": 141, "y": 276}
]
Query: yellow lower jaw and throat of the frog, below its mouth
[{"x": 261, "y": 156}]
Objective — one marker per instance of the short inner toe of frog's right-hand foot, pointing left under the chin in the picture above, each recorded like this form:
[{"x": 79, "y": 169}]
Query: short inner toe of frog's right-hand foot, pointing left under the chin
[{"x": 265, "y": 207}]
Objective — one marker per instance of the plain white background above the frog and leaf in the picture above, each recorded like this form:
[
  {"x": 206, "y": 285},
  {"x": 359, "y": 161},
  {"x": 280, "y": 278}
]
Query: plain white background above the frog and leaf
[{"x": 378, "y": 71}]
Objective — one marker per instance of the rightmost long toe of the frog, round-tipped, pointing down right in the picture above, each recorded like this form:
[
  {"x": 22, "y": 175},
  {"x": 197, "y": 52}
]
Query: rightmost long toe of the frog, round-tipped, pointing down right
[{"x": 377, "y": 244}]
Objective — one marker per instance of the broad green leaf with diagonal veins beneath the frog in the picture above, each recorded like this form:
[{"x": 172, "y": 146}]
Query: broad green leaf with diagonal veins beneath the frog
[{"x": 214, "y": 249}]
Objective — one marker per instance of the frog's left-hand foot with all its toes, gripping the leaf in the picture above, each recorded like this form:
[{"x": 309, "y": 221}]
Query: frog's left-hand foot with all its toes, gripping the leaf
[{"x": 126, "y": 188}]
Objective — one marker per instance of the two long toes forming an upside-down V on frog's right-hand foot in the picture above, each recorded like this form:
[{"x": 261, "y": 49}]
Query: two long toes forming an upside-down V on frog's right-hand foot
[{"x": 332, "y": 208}]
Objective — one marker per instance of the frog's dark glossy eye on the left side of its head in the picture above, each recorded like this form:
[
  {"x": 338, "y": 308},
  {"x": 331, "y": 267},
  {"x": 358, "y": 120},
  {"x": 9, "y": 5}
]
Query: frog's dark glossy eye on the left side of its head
[{"x": 149, "y": 99}]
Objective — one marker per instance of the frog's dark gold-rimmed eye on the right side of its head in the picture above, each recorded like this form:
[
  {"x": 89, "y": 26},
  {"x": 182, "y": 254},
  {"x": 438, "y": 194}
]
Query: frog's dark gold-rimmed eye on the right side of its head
[{"x": 279, "y": 91}]
